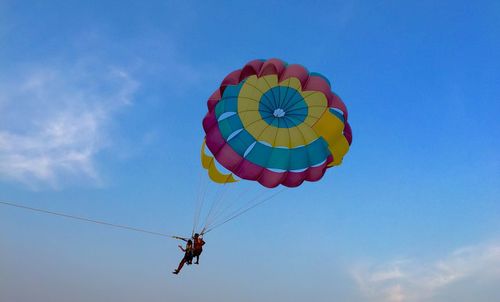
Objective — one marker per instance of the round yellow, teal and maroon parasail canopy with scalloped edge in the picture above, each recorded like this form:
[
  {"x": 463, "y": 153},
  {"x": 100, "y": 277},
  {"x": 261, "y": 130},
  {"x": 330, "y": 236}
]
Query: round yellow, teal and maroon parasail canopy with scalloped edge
[{"x": 276, "y": 124}]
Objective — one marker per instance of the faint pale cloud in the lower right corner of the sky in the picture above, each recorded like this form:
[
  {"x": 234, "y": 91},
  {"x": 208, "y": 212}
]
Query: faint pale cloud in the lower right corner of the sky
[{"x": 441, "y": 280}]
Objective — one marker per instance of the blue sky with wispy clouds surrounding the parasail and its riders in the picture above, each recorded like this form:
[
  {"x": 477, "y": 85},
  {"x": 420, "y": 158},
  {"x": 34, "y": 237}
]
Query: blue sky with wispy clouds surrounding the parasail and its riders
[{"x": 100, "y": 116}]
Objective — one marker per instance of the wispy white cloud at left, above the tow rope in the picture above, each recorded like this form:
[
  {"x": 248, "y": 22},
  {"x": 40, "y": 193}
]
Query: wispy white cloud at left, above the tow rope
[{"x": 54, "y": 120}]
